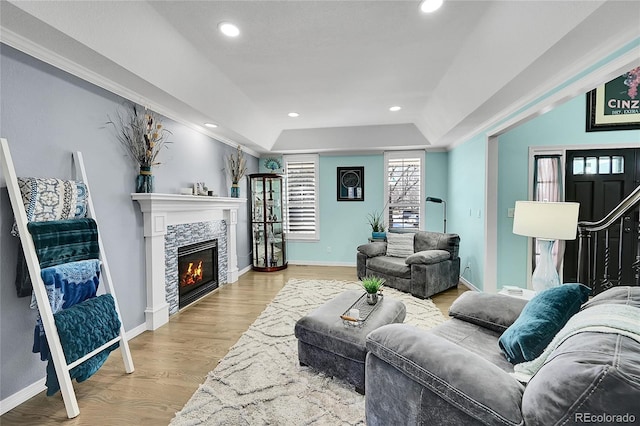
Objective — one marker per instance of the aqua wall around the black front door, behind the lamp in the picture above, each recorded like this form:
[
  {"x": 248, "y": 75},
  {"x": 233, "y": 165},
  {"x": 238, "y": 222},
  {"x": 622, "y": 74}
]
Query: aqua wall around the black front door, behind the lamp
[{"x": 563, "y": 126}]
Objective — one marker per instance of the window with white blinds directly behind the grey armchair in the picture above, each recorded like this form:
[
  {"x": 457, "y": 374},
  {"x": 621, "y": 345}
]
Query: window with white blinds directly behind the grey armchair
[{"x": 405, "y": 189}]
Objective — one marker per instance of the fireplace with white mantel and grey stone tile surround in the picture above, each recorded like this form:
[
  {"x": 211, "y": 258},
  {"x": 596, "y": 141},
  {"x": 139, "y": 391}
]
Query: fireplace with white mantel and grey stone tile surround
[{"x": 173, "y": 222}]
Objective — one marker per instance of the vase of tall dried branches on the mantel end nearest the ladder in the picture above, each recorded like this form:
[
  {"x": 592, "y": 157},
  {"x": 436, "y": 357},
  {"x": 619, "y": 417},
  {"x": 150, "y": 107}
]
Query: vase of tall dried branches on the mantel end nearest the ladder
[{"x": 143, "y": 136}]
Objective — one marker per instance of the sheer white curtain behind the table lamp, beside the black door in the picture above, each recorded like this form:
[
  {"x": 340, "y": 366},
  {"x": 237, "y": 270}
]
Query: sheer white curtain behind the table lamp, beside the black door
[{"x": 547, "y": 187}]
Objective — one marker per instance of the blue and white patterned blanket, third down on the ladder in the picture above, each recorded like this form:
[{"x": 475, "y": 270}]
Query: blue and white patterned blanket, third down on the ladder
[{"x": 67, "y": 285}]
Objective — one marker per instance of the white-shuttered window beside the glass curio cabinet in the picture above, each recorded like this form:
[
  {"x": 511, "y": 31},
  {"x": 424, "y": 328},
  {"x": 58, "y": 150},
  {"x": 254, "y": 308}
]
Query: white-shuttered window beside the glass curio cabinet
[{"x": 301, "y": 197}]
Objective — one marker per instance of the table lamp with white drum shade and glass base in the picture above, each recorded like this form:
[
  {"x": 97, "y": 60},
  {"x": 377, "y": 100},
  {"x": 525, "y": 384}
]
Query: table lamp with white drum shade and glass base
[{"x": 546, "y": 222}]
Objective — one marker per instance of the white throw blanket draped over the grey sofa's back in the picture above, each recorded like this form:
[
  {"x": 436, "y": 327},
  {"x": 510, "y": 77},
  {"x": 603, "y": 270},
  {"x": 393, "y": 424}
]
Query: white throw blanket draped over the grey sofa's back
[{"x": 606, "y": 318}]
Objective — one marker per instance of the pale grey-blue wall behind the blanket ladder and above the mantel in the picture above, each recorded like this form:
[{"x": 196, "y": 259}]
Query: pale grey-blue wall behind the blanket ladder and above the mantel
[{"x": 47, "y": 114}]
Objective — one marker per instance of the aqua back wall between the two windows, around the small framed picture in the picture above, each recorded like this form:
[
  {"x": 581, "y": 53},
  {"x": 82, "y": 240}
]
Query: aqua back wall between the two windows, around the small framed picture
[{"x": 343, "y": 224}]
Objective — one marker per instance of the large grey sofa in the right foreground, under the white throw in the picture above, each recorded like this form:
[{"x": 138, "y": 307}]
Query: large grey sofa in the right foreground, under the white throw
[{"x": 455, "y": 374}]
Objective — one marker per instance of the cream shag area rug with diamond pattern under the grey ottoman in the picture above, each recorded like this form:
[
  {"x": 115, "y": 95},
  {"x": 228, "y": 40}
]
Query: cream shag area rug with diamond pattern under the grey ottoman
[{"x": 260, "y": 382}]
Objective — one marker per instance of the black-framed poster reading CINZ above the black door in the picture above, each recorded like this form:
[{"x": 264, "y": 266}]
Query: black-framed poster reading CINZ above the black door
[{"x": 615, "y": 105}]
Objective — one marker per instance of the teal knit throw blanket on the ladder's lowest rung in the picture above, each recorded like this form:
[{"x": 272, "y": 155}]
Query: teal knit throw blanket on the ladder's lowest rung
[{"x": 83, "y": 328}]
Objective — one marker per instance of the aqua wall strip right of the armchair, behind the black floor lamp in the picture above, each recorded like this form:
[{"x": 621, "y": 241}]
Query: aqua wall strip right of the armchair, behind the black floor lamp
[{"x": 466, "y": 208}]
